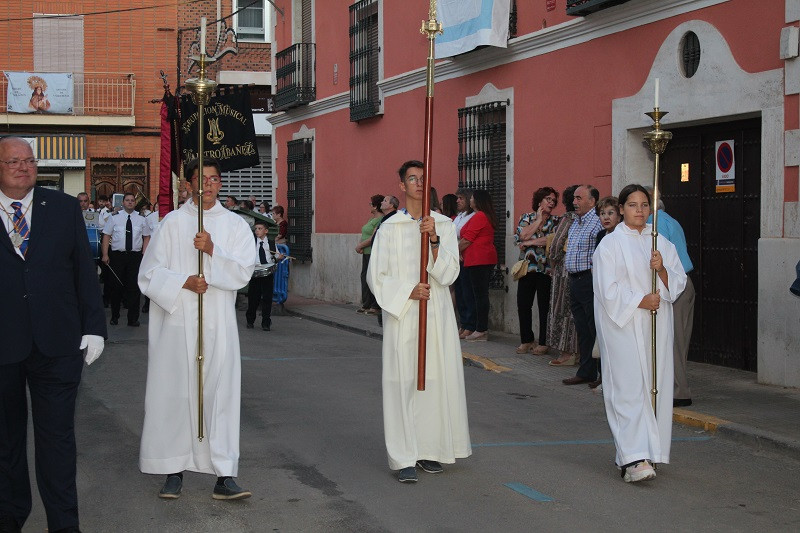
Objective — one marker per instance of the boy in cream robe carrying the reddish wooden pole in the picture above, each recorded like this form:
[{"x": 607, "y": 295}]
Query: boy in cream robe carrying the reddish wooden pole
[{"x": 422, "y": 428}]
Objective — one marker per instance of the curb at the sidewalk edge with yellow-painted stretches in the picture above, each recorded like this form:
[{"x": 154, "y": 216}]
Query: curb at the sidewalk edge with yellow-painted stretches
[{"x": 758, "y": 439}]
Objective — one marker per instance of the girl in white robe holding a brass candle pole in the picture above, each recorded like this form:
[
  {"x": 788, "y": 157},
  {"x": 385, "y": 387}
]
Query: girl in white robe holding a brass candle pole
[{"x": 623, "y": 300}]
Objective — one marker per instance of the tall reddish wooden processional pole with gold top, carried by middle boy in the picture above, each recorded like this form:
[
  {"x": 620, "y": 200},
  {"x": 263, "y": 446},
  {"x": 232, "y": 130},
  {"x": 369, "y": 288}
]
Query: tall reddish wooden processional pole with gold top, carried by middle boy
[{"x": 429, "y": 28}]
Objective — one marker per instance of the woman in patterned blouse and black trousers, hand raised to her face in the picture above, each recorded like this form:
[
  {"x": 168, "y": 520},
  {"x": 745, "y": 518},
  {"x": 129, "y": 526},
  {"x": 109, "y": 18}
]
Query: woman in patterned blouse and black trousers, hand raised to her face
[{"x": 531, "y": 239}]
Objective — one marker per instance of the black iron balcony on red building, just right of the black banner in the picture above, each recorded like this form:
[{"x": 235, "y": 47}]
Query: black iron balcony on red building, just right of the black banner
[{"x": 295, "y": 76}]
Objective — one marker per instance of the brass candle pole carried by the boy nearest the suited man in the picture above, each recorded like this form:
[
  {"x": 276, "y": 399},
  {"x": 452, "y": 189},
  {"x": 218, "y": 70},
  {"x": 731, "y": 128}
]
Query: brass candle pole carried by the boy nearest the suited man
[{"x": 201, "y": 90}]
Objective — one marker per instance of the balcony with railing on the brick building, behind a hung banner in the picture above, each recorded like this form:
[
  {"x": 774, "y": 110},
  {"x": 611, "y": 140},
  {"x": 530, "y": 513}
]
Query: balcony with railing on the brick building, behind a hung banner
[{"x": 100, "y": 99}]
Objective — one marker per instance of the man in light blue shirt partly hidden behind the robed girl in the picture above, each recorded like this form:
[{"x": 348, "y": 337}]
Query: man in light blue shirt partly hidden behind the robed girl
[{"x": 682, "y": 308}]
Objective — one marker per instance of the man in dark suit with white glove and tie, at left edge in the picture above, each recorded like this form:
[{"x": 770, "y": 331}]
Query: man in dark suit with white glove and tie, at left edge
[{"x": 52, "y": 312}]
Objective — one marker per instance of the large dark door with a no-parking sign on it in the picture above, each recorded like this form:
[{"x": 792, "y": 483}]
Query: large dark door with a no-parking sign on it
[{"x": 722, "y": 228}]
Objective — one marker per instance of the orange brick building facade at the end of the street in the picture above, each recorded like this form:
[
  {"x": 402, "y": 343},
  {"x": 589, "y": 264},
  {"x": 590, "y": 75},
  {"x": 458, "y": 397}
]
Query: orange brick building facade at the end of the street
[{"x": 115, "y": 53}]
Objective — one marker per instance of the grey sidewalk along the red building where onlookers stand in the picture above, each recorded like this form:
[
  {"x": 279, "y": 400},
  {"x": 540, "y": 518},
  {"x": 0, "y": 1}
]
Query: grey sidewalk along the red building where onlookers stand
[{"x": 727, "y": 402}]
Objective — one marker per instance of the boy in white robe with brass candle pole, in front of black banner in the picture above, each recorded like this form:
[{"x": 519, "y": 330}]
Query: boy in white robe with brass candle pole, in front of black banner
[{"x": 168, "y": 276}]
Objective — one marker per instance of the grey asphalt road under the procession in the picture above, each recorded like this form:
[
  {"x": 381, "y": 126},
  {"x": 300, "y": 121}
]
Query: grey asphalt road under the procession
[{"x": 312, "y": 453}]
